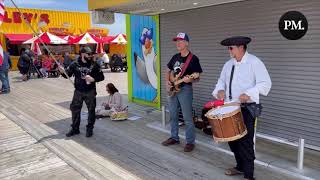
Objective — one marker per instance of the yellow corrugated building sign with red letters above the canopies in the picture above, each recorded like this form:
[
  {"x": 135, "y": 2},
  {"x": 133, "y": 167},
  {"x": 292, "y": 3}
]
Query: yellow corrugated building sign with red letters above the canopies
[{"x": 45, "y": 20}]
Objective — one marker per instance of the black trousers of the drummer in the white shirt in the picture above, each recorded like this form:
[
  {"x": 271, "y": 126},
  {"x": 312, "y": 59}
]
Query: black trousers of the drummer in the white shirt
[{"x": 243, "y": 148}]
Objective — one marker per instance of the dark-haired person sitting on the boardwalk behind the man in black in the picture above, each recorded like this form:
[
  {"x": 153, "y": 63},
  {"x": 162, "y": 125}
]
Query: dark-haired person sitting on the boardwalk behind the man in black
[{"x": 113, "y": 105}]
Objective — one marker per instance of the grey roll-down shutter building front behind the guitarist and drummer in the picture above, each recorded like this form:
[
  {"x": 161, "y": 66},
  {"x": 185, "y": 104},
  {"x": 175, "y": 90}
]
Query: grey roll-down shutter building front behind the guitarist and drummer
[{"x": 292, "y": 108}]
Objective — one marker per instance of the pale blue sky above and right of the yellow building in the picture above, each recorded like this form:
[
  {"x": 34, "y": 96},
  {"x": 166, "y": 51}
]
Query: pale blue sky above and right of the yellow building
[{"x": 69, "y": 5}]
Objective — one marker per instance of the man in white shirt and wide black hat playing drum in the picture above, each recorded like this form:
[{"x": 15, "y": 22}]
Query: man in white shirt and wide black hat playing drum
[{"x": 243, "y": 78}]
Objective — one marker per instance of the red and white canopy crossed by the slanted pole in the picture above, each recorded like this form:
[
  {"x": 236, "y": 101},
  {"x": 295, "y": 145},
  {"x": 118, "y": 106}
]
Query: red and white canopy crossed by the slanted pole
[{"x": 47, "y": 38}]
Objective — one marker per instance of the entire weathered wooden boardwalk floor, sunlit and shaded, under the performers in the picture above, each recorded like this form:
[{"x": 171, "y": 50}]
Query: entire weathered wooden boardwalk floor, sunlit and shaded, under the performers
[{"x": 35, "y": 117}]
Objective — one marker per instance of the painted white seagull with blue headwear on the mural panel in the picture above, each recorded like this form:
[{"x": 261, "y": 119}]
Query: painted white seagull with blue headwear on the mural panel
[{"x": 147, "y": 68}]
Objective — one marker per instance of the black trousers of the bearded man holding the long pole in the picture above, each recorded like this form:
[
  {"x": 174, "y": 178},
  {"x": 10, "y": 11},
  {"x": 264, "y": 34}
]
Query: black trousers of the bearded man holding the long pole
[{"x": 90, "y": 99}]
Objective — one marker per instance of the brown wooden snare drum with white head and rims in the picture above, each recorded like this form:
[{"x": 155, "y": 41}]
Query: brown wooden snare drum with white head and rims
[{"x": 226, "y": 123}]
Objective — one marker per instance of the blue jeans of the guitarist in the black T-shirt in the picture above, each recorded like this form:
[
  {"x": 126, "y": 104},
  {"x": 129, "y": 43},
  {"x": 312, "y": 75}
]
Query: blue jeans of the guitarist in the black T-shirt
[{"x": 184, "y": 99}]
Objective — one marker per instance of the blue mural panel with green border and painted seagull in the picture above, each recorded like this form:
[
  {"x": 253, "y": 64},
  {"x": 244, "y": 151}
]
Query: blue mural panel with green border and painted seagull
[{"x": 143, "y": 53}]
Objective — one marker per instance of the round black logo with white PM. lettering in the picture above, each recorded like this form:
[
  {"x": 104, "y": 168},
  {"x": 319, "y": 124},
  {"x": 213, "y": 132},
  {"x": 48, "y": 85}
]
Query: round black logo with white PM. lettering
[{"x": 293, "y": 25}]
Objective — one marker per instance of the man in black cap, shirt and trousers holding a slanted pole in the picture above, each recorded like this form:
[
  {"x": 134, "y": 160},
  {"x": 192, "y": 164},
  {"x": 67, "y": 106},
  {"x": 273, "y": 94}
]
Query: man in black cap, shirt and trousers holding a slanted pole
[{"x": 86, "y": 72}]
